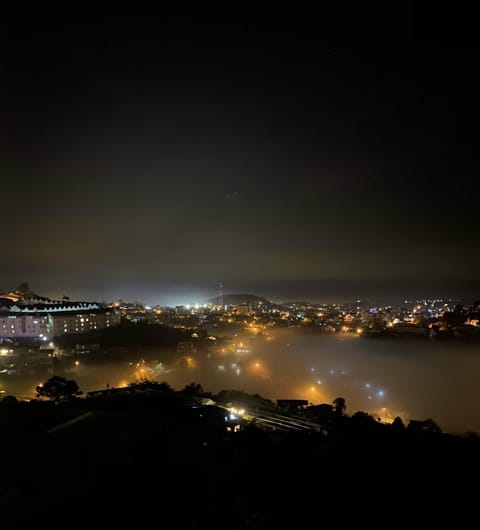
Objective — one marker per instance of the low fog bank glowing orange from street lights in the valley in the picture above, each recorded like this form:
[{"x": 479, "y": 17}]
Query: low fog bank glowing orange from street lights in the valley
[{"x": 414, "y": 378}]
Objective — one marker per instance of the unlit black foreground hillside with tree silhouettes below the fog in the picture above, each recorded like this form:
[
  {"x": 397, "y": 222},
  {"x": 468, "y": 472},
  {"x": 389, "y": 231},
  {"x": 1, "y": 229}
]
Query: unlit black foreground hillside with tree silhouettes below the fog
[{"x": 152, "y": 455}]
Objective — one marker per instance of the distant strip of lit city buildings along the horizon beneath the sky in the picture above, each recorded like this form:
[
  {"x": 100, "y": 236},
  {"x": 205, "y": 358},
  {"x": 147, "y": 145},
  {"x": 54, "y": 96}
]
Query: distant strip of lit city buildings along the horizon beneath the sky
[{"x": 32, "y": 325}]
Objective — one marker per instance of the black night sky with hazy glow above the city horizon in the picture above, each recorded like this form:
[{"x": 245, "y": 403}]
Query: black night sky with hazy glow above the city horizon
[{"x": 326, "y": 156}]
